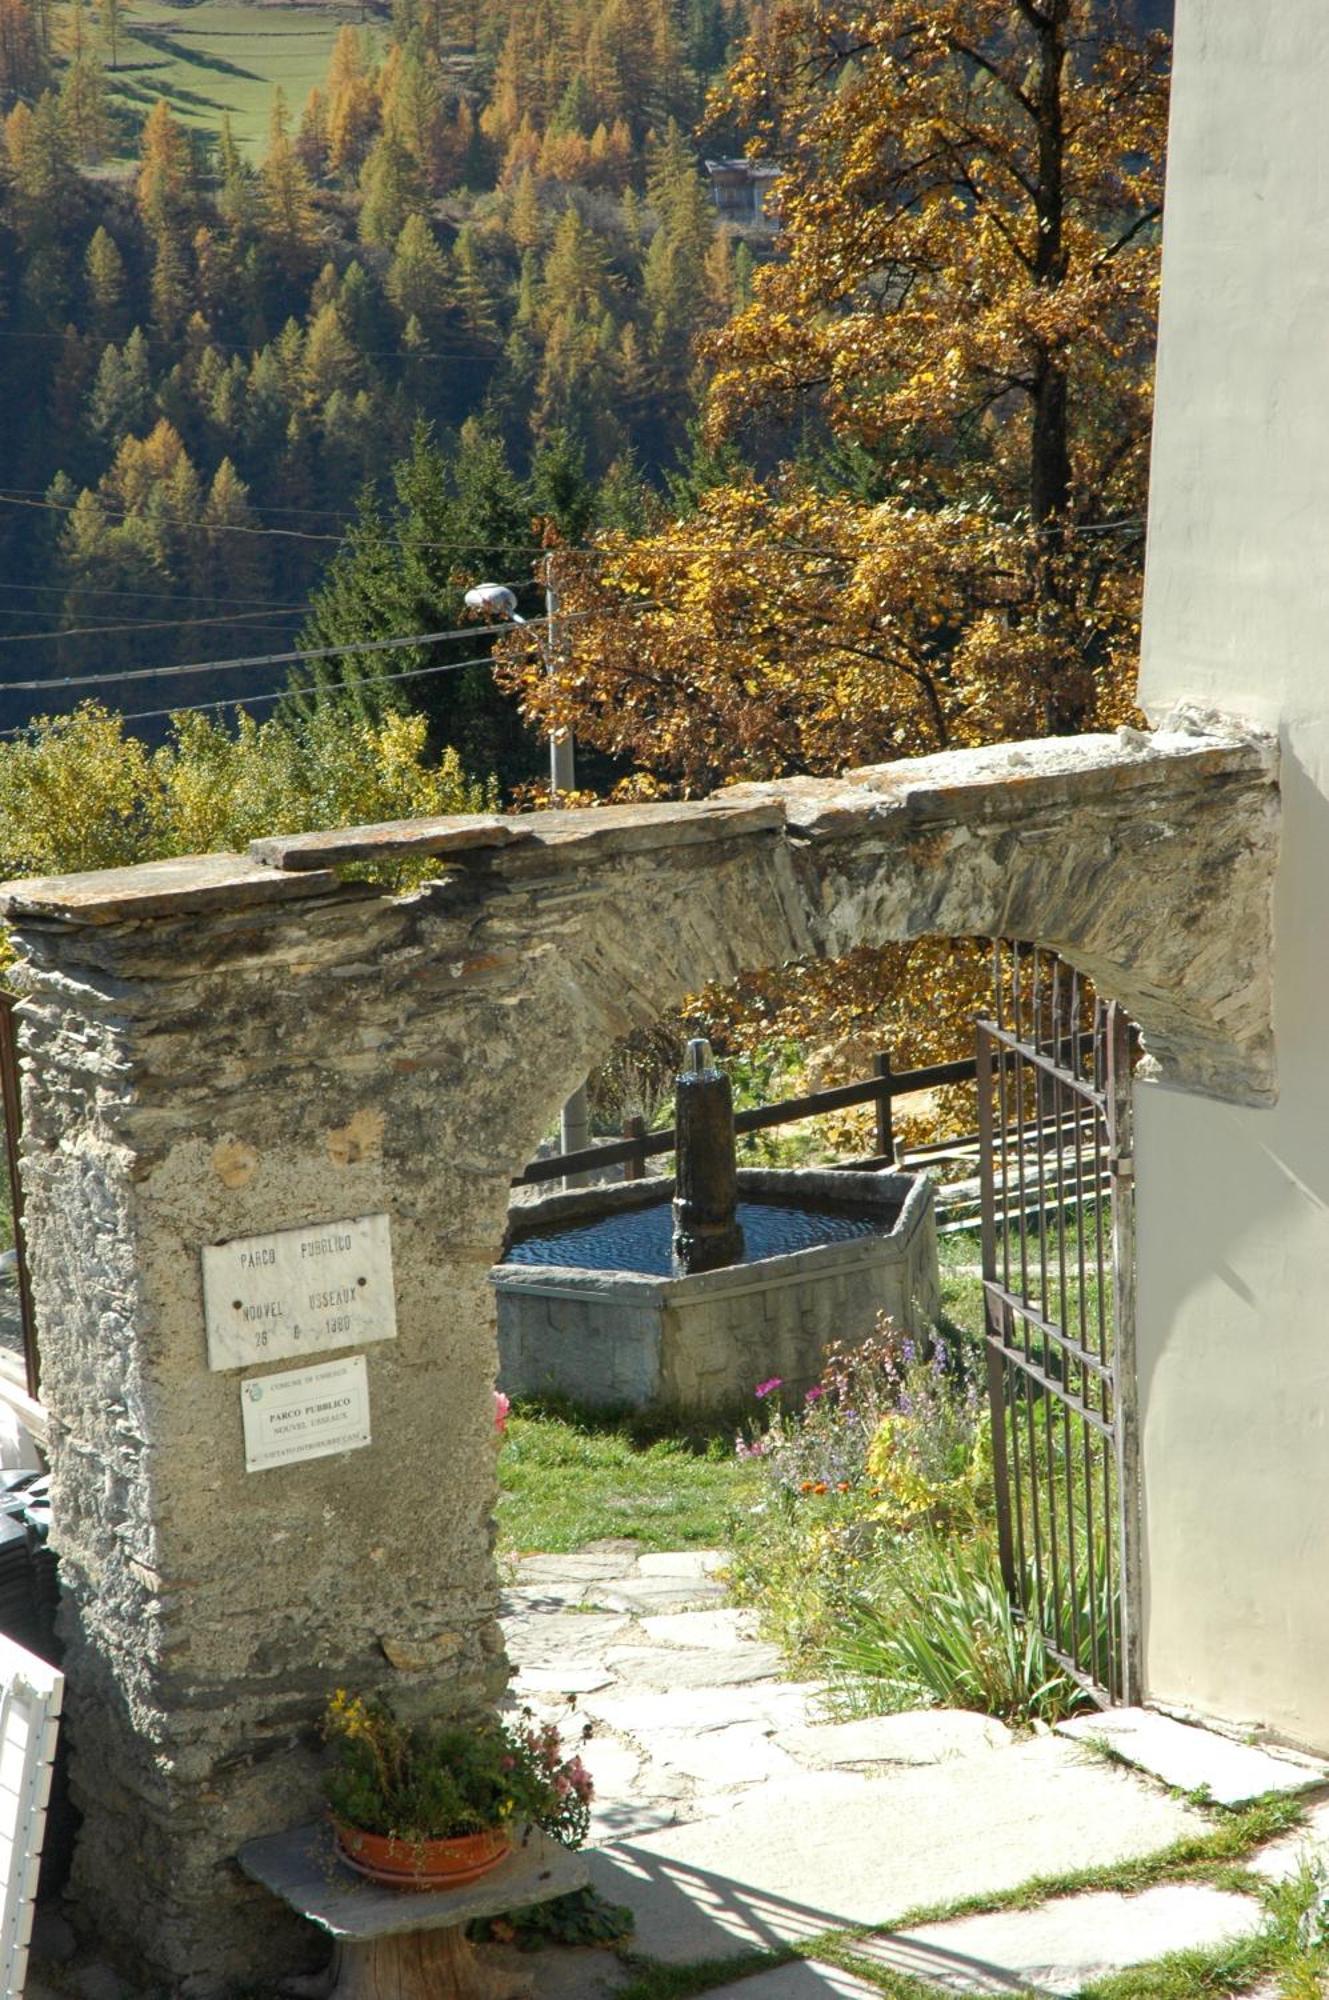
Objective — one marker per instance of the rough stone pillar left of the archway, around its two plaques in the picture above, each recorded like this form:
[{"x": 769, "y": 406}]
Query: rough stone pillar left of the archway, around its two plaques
[{"x": 255, "y": 1055}]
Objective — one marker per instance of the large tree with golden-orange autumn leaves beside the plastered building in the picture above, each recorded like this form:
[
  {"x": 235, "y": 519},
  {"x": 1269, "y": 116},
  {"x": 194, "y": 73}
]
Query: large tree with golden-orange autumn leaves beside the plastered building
[{"x": 930, "y": 427}]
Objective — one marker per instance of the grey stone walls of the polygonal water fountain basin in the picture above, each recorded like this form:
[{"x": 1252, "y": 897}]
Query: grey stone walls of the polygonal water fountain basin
[{"x": 615, "y": 1339}]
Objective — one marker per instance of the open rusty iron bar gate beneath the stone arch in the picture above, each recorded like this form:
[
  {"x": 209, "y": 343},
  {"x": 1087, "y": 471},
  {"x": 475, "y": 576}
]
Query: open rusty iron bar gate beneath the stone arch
[{"x": 1060, "y": 1311}]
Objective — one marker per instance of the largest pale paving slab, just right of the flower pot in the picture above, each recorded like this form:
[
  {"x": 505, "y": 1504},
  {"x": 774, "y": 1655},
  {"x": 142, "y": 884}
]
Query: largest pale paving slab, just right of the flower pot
[{"x": 834, "y": 1849}]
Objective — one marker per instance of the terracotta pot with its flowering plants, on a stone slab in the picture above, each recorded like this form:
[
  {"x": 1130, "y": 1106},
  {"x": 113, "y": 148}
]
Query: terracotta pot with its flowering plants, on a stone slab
[{"x": 439, "y": 1803}]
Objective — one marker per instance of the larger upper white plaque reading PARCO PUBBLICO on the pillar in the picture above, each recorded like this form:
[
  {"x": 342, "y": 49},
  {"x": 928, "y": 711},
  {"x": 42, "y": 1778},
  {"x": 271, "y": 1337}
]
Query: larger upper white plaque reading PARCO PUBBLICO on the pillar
[{"x": 327, "y": 1285}]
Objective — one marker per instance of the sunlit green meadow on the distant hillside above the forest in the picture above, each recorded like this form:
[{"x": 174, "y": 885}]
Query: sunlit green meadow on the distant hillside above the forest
[{"x": 223, "y": 57}]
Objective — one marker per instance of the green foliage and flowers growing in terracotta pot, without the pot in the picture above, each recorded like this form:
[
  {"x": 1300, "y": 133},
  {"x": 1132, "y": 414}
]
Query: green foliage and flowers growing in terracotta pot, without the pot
[{"x": 435, "y": 1781}]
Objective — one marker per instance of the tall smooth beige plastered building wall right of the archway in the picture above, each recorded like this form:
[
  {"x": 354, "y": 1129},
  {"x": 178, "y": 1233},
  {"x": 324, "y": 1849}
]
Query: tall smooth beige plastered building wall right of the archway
[{"x": 1234, "y": 1205}]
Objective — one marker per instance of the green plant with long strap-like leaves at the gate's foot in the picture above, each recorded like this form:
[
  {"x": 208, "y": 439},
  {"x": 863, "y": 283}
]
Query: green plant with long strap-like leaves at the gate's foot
[{"x": 954, "y": 1639}]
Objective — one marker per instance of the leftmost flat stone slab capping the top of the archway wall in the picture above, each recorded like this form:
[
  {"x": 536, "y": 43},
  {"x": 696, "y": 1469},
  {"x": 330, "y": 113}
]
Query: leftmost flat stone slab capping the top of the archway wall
[{"x": 157, "y": 889}]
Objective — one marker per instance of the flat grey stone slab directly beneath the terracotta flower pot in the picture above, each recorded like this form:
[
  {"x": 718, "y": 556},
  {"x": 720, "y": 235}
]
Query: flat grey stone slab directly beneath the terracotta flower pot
[{"x": 303, "y": 1869}]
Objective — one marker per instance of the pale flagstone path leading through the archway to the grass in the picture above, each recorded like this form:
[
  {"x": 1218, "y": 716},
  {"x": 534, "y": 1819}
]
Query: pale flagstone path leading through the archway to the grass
[{"x": 732, "y": 1815}]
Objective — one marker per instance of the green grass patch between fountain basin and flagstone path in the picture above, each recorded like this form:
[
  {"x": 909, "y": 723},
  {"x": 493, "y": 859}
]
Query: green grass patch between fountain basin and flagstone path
[{"x": 567, "y": 1481}]
